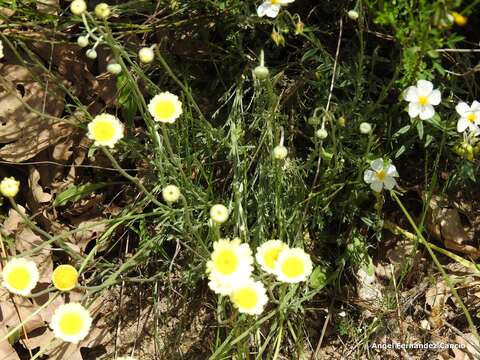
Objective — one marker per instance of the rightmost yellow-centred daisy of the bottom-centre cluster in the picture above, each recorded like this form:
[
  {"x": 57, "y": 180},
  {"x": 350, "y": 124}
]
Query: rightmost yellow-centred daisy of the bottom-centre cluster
[{"x": 293, "y": 265}]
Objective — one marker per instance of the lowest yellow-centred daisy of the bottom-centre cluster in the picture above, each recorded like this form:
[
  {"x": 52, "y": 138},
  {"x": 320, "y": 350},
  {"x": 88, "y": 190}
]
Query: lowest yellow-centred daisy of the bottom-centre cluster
[{"x": 249, "y": 297}]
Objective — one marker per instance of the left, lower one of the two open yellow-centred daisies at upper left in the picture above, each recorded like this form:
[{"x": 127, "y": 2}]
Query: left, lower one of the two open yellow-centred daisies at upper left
[{"x": 105, "y": 130}]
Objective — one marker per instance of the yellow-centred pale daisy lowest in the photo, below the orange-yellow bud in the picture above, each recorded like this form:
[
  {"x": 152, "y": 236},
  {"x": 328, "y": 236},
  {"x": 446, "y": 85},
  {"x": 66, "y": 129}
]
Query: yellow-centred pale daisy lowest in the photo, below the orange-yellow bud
[{"x": 71, "y": 322}]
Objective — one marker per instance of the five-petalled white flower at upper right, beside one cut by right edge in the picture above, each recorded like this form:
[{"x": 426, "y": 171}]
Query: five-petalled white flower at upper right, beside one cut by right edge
[{"x": 422, "y": 99}]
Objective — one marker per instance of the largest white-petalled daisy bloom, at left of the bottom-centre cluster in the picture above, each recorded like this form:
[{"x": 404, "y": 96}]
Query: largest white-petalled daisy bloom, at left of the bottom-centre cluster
[{"x": 230, "y": 262}]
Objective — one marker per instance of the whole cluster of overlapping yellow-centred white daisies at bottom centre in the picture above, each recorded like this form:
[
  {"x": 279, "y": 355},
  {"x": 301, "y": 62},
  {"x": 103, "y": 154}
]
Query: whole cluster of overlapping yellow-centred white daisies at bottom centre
[{"x": 231, "y": 265}]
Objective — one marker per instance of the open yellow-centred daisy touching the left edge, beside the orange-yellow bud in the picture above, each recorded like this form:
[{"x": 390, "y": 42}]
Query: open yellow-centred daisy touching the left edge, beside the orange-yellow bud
[{"x": 20, "y": 276}]
